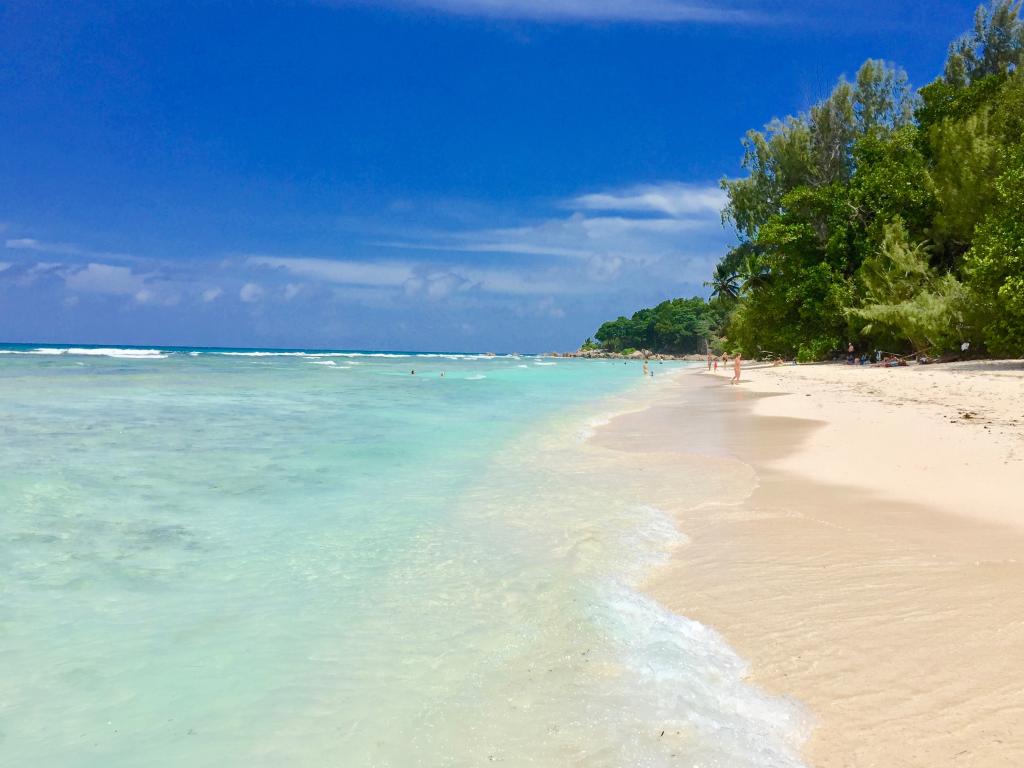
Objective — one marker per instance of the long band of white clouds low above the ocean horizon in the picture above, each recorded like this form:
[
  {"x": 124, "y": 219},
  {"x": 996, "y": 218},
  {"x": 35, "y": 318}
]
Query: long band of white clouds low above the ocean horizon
[{"x": 608, "y": 241}]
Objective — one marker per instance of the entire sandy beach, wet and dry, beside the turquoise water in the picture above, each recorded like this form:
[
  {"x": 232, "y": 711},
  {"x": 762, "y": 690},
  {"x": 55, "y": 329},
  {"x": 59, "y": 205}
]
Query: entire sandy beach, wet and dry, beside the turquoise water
[{"x": 874, "y": 569}]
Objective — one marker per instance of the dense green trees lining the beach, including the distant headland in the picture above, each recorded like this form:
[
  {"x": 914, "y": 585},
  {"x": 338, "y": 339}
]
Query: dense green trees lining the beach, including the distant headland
[{"x": 886, "y": 217}]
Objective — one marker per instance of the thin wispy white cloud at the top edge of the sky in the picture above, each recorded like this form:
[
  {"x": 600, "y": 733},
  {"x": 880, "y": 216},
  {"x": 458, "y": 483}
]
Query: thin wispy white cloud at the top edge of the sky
[{"x": 671, "y": 12}]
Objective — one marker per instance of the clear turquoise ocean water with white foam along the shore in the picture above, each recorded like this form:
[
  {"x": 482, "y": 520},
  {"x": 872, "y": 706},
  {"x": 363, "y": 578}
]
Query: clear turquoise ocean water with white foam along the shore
[{"x": 266, "y": 559}]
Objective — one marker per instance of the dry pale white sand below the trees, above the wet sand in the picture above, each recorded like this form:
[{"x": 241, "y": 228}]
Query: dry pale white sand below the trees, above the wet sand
[{"x": 903, "y": 432}]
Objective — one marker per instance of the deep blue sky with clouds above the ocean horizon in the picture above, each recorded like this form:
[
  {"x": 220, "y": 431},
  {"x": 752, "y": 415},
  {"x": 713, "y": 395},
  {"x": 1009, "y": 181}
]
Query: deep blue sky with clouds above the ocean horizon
[{"x": 407, "y": 175}]
